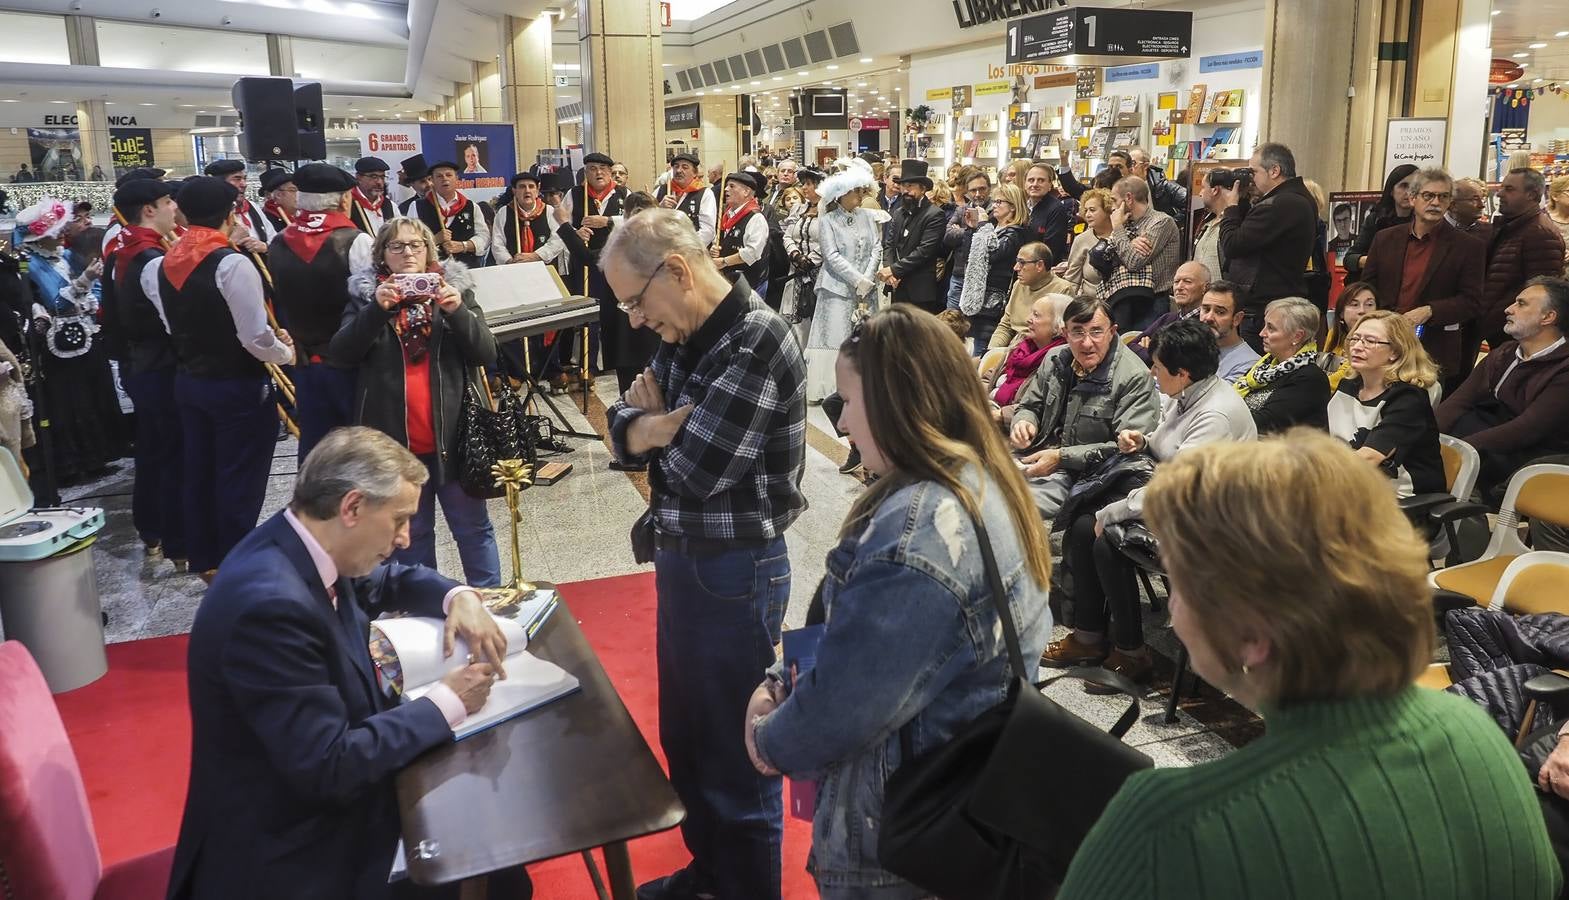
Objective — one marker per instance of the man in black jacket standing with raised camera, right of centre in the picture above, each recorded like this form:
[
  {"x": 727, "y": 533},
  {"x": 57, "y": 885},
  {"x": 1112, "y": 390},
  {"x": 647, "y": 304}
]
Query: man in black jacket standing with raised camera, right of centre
[{"x": 1269, "y": 239}]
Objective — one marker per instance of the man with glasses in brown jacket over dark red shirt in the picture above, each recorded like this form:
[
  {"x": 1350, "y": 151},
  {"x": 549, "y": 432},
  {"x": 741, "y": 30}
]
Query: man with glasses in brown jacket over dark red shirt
[{"x": 1430, "y": 272}]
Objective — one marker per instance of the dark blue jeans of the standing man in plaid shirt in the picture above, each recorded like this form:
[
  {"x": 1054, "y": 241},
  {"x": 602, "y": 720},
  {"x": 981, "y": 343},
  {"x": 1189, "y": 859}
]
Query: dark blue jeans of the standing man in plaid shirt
[{"x": 718, "y": 625}]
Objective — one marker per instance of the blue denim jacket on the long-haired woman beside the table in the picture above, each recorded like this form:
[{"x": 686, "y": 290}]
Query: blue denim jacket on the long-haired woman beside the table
[{"x": 912, "y": 639}]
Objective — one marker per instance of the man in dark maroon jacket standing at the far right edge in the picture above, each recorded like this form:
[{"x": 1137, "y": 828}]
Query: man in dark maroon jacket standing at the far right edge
[{"x": 1526, "y": 244}]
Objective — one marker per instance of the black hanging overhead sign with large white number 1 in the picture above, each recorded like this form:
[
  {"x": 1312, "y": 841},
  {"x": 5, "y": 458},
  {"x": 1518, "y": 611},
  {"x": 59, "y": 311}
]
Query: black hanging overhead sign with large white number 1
[{"x": 1101, "y": 37}]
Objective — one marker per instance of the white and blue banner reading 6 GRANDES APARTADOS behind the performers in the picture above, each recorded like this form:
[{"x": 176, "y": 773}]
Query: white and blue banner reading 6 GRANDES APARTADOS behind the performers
[{"x": 484, "y": 151}]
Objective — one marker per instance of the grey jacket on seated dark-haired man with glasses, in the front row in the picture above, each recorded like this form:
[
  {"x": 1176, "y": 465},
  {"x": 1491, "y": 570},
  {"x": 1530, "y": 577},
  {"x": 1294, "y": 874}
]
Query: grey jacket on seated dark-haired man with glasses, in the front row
[{"x": 1083, "y": 415}]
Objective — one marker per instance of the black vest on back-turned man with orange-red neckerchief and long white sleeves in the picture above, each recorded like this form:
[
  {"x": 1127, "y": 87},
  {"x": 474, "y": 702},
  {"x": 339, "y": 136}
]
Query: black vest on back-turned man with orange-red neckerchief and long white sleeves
[{"x": 203, "y": 330}]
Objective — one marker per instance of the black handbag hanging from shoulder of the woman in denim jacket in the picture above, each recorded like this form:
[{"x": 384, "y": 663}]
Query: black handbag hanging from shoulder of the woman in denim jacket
[{"x": 999, "y": 811}]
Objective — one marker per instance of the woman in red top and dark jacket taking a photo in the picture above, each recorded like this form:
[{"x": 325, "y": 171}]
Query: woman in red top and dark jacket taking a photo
[{"x": 415, "y": 330}]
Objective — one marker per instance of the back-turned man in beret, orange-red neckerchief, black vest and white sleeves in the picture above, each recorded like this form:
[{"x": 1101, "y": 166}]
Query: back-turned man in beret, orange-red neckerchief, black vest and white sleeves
[{"x": 211, "y": 302}]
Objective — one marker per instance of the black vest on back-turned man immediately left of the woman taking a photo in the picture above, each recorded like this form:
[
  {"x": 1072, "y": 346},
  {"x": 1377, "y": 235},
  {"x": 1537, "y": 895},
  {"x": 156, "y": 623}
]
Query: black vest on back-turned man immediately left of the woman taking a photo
[{"x": 311, "y": 296}]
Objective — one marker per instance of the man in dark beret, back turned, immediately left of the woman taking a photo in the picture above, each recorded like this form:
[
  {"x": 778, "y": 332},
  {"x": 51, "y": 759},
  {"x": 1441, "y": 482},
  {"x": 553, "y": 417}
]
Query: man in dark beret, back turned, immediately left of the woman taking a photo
[{"x": 311, "y": 263}]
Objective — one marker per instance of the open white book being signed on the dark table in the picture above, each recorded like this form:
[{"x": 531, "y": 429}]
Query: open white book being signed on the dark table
[{"x": 407, "y": 651}]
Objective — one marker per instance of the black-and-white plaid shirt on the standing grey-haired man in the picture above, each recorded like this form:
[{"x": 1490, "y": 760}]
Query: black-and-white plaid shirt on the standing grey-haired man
[{"x": 734, "y": 471}]
